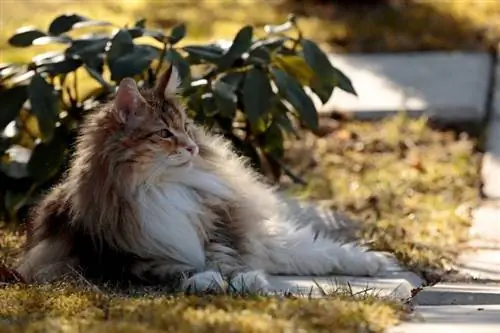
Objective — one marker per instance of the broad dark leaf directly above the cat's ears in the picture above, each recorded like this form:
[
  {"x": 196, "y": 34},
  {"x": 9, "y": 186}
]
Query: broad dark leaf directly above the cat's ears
[{"x": 132, "y": 63}]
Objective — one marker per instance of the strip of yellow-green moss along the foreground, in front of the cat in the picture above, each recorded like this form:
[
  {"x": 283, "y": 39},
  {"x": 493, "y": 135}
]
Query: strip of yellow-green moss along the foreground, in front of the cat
[{"x": 71, "y": 308}]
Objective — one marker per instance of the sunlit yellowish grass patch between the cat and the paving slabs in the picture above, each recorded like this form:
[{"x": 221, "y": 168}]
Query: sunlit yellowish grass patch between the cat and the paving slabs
[{"x": 413, "y": 186}]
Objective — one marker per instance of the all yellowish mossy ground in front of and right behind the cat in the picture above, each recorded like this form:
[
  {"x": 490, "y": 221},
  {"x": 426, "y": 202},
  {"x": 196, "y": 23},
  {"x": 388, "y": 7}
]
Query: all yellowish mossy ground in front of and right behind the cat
[{"x": 414, "y": 185}]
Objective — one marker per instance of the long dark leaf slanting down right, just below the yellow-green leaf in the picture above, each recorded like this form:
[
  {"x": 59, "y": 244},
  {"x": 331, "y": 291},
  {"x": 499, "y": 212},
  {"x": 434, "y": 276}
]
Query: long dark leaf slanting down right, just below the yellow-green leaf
[{"x": 297, "y": 97}]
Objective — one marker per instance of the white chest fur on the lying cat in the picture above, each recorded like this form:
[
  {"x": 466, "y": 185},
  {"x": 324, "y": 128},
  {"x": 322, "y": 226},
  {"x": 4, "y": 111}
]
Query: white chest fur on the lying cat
[{"x": 173, "y": 217}]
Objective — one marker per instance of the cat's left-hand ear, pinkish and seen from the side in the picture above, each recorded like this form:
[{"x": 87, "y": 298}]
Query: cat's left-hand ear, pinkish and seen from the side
[{"x": 129, "y": 103}]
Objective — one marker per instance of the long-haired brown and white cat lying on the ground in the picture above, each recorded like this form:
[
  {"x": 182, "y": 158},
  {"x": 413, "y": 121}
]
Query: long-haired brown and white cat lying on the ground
[{"x": 149, "y": 194}]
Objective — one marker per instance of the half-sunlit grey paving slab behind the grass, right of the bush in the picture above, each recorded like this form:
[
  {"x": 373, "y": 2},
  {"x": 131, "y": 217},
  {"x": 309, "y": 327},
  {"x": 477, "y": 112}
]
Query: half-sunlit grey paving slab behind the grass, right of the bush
[{"x": 450, "y": 86}]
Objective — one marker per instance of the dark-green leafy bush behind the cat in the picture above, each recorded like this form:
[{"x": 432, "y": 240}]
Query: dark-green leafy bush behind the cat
[{"x": 250, "y": 89}]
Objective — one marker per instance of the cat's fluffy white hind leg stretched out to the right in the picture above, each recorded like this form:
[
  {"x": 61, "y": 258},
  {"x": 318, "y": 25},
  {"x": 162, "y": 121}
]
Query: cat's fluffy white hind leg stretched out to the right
[{"x": 297, "y": 252}]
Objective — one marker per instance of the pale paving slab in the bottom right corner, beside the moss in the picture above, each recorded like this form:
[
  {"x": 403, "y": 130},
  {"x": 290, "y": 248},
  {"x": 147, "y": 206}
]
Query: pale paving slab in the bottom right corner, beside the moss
[{"x": 452, "y": 319}]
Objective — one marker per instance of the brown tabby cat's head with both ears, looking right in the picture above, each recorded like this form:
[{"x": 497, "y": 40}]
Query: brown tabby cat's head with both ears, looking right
[{"x": 155, "y": 131}]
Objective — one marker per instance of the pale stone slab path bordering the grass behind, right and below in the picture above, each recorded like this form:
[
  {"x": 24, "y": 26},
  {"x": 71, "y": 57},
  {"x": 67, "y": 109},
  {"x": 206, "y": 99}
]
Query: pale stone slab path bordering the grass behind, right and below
[{"x": 454, "y": 88}]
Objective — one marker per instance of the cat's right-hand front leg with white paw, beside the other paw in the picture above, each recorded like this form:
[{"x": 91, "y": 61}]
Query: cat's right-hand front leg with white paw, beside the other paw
[{"x": 241, "y": 278}]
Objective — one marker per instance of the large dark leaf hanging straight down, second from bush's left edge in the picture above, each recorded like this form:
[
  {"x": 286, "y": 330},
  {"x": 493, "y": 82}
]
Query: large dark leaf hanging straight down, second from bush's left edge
[{"x": 44, "y": 105}]
